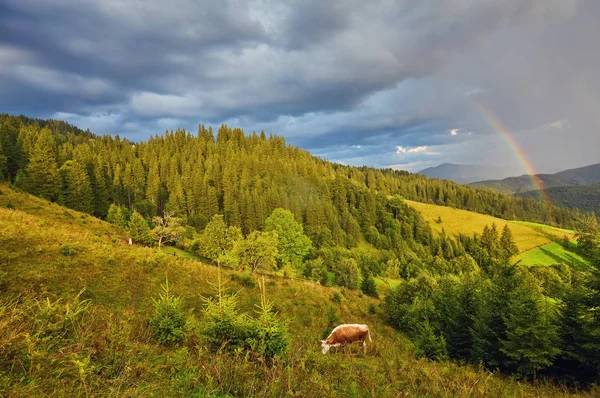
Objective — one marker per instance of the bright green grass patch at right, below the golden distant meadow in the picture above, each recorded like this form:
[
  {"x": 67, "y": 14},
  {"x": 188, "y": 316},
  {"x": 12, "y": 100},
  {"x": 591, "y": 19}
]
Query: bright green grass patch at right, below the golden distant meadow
[{"x": 554, "y": 253}]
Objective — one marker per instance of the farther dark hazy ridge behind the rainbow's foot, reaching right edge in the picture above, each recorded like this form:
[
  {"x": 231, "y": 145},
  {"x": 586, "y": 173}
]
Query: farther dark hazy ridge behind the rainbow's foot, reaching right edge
[{"x": 580, "y": 176}]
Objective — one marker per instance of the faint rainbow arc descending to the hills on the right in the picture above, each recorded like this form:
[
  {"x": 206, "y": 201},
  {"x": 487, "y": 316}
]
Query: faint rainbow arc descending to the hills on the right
[{"x": 497, "y": 125}]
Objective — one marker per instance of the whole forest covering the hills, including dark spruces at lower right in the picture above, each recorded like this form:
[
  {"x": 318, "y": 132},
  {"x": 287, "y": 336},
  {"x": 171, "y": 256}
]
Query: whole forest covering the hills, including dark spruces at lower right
[{"x": 253, "y": 202}]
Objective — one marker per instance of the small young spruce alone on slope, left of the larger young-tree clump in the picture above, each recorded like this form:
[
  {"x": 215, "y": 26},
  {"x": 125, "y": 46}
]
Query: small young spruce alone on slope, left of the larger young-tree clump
[{"x": 168, "y": 322}]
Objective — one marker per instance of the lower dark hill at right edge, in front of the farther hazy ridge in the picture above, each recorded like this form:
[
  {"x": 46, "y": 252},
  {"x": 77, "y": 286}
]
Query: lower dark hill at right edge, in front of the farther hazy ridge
[{"x": 583, "y": 197}]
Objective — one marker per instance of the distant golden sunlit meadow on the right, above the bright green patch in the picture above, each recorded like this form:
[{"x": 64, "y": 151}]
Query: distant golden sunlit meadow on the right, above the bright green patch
[{"x": 454, "y": 221}]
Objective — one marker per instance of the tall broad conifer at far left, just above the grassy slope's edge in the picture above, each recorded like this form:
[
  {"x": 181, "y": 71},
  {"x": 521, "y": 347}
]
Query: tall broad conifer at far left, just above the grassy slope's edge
[{"x": 42, "y": 177}]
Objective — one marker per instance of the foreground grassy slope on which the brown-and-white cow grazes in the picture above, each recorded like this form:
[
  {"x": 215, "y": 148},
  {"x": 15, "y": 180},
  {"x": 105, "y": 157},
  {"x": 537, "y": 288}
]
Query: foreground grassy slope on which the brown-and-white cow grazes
[{"x": 54, "y": 344}]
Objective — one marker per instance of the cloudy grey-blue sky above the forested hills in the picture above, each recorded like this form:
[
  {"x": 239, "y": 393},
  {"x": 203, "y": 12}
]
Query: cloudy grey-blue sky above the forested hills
[{"x": 398, "y": 84}]
